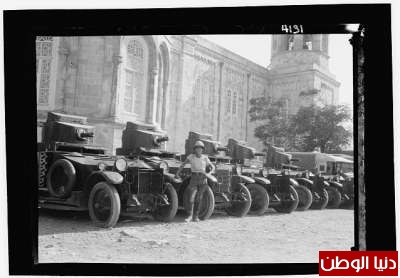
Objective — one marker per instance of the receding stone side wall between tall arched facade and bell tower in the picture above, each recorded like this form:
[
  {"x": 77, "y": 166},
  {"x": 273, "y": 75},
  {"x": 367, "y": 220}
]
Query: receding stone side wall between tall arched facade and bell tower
[{"x": 211, "y": 87}]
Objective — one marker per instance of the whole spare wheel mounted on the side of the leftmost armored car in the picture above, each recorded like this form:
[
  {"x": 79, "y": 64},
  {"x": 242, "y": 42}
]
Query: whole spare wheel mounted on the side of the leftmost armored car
[{"x": 61, "y": 178}]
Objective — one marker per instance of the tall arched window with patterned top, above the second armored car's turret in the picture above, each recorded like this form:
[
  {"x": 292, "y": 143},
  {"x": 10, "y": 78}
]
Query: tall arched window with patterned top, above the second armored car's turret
[{"x": 135, "y": 77}]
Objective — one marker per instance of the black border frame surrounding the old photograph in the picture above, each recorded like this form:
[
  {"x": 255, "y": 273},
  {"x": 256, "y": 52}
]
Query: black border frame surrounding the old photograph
[{"x": 20, "y": 28}]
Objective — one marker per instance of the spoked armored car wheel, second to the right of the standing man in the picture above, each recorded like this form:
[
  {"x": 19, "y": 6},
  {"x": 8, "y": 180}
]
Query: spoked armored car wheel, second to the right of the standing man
[{"x": 240, "y": 201}]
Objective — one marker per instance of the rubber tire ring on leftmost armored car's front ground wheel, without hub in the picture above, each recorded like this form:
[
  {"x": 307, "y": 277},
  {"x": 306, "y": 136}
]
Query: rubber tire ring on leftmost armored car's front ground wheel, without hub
[{"x": 115, "y": 205}]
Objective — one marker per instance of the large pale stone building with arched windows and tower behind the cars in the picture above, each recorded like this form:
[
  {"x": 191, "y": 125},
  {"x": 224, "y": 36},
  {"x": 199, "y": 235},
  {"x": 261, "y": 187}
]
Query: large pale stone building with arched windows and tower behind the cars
[{"x": 179, "y": 83}]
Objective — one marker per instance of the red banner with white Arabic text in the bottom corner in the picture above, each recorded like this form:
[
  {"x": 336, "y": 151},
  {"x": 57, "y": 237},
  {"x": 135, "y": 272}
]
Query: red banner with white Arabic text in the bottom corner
[{"x": 358, "y": 263}]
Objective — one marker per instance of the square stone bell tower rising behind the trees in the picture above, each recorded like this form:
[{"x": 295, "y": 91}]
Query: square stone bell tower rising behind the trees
[{"x": 300, "y": 72}]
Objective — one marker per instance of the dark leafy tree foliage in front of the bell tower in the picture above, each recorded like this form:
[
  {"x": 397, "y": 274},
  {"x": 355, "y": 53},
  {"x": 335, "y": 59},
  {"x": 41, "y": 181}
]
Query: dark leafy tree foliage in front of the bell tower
[{"x": 311, "y": 127}]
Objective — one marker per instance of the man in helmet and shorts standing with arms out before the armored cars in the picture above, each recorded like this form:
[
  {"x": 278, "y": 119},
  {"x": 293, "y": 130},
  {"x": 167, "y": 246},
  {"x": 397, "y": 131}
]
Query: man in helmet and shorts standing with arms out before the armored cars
[{"x": 198, "y": 180}]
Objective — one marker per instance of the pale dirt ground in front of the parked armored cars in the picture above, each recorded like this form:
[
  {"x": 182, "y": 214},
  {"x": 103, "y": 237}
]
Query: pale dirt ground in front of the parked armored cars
[{"x": 271, "y": 238}]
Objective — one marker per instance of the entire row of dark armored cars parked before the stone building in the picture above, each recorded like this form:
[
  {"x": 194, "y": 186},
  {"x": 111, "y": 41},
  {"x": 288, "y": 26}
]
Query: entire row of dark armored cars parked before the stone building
[{"x": 74, "y": 174}]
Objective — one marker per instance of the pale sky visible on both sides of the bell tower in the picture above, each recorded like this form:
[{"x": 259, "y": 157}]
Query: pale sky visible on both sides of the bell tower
[{"x": 257, "y": 48}]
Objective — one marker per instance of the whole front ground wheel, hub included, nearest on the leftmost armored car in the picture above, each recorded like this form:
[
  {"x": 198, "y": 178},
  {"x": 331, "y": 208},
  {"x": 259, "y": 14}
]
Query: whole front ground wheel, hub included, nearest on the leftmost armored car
[{"x": 104, "y": 205}]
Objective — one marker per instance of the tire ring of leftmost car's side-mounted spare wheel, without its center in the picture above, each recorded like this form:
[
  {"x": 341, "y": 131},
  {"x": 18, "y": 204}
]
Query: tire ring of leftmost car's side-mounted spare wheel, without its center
[{"x": 69, "y": 171}]
